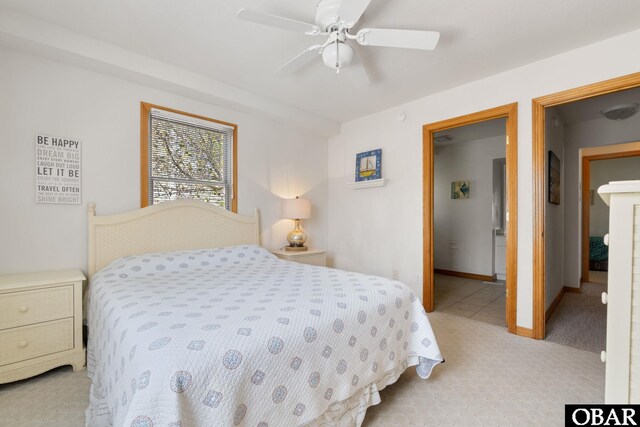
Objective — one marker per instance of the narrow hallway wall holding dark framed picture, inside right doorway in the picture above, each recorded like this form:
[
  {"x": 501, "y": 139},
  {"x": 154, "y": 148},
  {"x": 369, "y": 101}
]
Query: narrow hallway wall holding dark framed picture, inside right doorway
[{"x": 554, "y": 214}]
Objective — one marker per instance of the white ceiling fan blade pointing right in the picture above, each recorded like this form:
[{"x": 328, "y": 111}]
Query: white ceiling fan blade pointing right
[{"x": 410, "y": 39}]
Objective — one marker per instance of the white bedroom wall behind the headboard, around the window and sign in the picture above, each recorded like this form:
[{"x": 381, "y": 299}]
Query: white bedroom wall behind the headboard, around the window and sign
[{"x": 42, "y": 96}]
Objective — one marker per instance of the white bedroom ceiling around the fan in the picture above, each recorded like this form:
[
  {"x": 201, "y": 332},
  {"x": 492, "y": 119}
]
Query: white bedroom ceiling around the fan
[{"x": 479, "y": 38}]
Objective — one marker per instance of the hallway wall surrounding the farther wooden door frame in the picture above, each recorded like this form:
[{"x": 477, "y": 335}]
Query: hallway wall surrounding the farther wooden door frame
[{"x": 591, "y": 133}]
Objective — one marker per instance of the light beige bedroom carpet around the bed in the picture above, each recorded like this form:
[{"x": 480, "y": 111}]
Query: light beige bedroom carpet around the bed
[{"x": 490, "y": 377}]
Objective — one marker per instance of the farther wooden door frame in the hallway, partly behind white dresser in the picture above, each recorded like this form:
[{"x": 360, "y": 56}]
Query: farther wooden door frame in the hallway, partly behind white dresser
[{"x": 616, "y": 151}]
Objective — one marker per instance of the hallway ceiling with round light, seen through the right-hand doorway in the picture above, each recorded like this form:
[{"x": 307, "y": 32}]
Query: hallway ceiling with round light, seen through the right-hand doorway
[{"x": 589, "y": 109}]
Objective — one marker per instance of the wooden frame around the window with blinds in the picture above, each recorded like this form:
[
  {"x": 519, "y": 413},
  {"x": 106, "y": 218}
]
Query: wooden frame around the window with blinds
[{"x": 145, "y": 115}]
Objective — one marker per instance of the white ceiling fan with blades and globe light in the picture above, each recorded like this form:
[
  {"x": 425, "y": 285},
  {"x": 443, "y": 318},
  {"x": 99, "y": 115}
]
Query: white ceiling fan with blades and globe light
[{"x": 335, "y": 19}]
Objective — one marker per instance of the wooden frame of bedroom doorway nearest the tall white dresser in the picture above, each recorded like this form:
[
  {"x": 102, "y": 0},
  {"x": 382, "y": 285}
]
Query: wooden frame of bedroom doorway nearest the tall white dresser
[{"x": 539, "y": 105}]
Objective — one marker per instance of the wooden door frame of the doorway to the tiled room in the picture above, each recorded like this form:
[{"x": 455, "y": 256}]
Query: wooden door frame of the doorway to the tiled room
[{"x": 510, "y": 112}]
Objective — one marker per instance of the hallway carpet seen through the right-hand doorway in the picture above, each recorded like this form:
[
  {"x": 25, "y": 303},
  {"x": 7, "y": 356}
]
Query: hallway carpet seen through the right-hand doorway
[{"x": 580, "y": 319}]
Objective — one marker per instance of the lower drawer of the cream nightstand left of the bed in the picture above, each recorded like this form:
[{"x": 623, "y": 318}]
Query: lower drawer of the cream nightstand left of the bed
[{"x": 27, "y": 342}]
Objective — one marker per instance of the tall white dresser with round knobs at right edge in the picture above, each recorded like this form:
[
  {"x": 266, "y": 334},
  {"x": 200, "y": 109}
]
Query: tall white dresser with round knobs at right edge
[{"x": 622, "y": 355}]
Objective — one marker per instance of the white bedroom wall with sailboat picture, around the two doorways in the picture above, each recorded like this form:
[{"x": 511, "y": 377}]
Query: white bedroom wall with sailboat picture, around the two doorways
[{"x": 375, "y": 230}]
